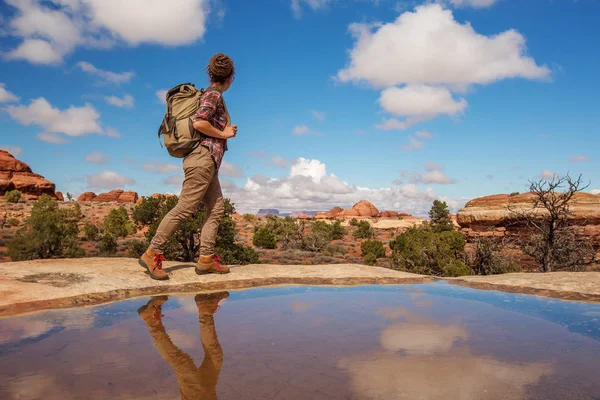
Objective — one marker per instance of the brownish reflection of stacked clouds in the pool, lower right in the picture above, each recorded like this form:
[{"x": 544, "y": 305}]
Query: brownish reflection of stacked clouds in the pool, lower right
[{"x": 420, "y": 359}]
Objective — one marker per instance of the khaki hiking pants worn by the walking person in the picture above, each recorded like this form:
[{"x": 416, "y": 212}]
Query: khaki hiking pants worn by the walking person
[{"x": 201, "y": 184}]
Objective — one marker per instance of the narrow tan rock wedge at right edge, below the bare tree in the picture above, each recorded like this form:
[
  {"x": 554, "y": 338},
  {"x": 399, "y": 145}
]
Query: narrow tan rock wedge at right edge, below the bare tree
[{"x": 577, "y": 286}]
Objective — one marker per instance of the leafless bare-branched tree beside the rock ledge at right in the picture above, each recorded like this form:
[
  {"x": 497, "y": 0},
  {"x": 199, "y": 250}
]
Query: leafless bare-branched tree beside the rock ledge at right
[{"x": 554, "y": 243}]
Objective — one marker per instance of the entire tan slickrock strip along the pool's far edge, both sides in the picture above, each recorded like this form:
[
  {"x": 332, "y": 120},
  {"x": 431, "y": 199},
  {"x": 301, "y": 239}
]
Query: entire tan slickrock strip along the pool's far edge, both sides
[{"x": 51, "y": 284}]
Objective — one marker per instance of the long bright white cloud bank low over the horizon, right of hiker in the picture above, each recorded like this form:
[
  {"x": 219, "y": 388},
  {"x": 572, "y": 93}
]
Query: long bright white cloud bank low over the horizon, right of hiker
[{"x": 309, "y": 186}]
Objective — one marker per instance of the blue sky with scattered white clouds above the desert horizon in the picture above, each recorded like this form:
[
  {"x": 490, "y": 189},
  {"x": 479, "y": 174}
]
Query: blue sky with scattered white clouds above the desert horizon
[{"x": 336, "y": 101}]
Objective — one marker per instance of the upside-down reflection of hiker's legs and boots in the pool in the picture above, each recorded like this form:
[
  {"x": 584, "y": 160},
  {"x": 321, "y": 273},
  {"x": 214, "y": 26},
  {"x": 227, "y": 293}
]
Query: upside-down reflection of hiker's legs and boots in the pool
[{"x": 194, "y": 382}]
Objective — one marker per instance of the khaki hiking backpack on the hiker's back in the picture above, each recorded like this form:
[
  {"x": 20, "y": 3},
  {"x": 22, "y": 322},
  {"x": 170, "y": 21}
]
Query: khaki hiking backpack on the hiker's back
[{"x": 179, "y": 135}]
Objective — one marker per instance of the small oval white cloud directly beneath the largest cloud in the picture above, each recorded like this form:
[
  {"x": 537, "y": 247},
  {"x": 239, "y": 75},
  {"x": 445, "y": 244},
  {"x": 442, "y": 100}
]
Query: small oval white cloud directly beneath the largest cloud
[{"x": 418, "y": 103}]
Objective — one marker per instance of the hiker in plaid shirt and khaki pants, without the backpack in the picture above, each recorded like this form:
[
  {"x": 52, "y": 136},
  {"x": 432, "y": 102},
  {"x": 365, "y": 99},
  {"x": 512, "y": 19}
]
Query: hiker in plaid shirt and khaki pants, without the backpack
[{"x": 201, "y": 181}]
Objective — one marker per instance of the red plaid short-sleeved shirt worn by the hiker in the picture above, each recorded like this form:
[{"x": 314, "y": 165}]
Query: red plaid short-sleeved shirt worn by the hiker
[{"x": 212, "y": 109}]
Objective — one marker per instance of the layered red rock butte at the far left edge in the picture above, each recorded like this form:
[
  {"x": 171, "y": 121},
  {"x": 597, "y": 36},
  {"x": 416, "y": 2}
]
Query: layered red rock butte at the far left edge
[{"x": 16, "y": 175}]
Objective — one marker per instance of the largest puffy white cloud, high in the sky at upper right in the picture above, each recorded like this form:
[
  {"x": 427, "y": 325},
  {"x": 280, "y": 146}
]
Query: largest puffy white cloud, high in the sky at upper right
[{"x": 428, "y": 46}]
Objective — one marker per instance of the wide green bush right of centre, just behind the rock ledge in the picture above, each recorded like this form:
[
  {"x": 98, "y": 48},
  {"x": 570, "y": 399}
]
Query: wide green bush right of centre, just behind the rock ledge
[{"x": 425, "y": 251}]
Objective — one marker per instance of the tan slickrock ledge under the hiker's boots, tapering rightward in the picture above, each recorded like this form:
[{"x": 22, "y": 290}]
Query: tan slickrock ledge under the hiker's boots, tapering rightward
[{"x": 55, "y": 284}]
